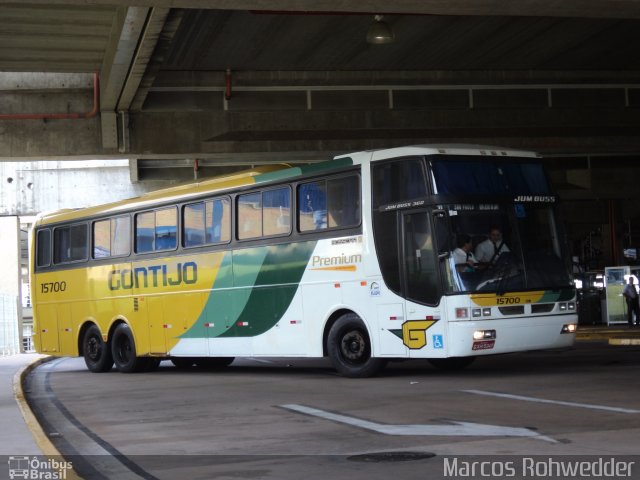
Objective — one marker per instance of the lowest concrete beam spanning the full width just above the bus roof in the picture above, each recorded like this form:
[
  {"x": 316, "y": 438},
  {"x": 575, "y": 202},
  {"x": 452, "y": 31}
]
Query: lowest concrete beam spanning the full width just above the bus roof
[{"x": 236, "y": 134}]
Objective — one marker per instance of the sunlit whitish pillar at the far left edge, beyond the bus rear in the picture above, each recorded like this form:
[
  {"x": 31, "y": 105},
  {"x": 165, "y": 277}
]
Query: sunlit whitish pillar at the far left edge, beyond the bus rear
[{"x": 10, "y": 284}]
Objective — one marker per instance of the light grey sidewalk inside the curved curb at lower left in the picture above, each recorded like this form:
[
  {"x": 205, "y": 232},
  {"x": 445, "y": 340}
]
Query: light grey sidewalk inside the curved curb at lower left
[{"x": 15, "y": 436}]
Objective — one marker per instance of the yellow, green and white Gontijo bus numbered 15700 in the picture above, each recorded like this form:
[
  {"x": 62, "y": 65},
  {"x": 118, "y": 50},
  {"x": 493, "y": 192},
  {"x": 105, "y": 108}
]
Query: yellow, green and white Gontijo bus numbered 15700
[{"x": 353, "y": 259}]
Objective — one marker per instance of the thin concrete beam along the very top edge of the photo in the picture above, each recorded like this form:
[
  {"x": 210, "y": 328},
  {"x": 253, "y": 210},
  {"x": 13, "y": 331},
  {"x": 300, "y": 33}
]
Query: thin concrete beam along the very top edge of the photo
[{"x": 550, "y": 8}]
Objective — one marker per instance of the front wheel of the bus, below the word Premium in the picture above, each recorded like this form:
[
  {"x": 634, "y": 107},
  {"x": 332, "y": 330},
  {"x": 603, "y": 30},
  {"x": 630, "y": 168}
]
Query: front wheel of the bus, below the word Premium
[{"x": 349, "y": 348}]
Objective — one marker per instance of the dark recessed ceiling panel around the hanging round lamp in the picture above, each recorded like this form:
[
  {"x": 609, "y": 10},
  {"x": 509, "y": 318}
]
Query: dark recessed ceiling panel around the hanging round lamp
[{"x": 216, "y": 40}]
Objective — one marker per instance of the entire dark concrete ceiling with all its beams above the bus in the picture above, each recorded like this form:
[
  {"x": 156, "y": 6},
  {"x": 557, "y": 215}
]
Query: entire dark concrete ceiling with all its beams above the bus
[{"x": 561, "y": 77}]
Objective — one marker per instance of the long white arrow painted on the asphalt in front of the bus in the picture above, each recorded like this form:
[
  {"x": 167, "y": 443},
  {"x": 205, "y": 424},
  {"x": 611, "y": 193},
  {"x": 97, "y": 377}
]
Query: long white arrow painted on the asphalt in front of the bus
[{"x": 456, "y": 429}]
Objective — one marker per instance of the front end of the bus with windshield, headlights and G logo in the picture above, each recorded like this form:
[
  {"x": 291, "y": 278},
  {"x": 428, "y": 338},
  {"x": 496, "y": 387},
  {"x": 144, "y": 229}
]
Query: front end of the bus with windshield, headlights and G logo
[{"x": 482, "y": 260}]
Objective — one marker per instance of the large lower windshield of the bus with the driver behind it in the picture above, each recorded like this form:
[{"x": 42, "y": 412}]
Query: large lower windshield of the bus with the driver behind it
[{"x": 497, "y": 248}]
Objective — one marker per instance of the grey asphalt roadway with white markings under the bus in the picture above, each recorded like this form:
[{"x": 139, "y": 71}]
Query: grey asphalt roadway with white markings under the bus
[{"x": 292, "y": 418}]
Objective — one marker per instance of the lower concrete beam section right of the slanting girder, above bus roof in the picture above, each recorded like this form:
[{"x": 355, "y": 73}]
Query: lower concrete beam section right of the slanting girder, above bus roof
[{"x": 246, "y": 132}]
